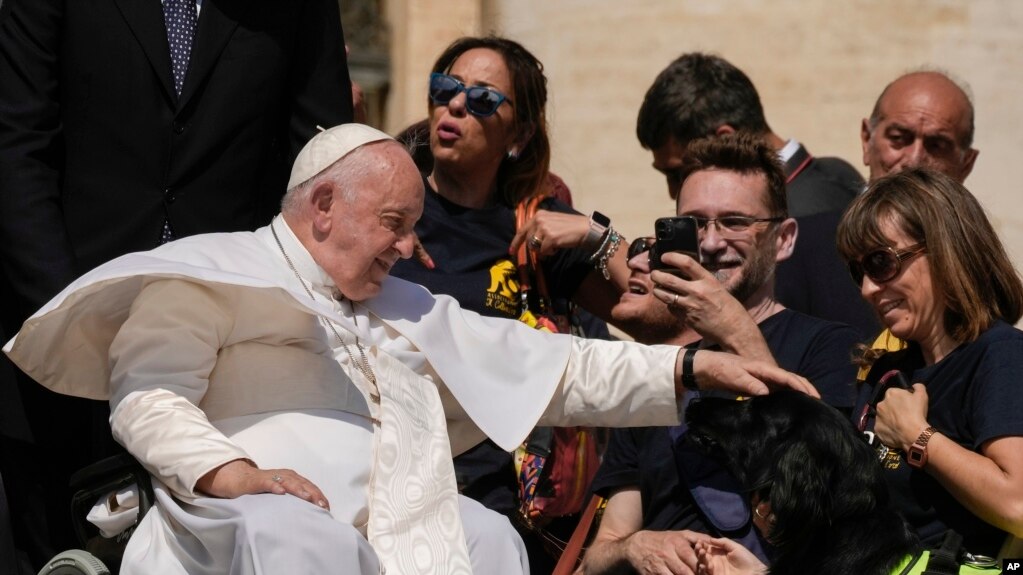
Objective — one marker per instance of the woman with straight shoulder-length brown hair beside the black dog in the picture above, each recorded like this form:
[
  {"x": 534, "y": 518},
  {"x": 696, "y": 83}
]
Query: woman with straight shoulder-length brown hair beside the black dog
[{"x": 931, "y": 266}]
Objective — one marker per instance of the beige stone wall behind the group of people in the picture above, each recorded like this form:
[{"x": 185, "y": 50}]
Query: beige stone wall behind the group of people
[{"x": 819, "y": 67}]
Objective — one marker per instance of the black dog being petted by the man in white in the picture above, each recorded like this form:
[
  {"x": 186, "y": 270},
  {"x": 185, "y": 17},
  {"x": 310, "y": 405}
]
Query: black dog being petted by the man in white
[{"x": 829, "y": 500}]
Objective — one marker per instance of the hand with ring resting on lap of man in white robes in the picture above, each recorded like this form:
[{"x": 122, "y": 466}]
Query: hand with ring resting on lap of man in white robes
[{"x": 242, "y": 477}]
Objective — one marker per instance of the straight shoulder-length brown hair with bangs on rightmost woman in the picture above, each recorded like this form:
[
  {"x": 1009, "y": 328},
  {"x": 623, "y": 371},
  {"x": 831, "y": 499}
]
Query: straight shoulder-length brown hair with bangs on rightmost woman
[{"x": 968, "y": 263}]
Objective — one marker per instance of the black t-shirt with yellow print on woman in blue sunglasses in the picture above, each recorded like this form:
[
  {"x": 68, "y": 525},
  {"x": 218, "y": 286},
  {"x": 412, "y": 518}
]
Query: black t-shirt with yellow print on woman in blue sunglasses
[{"x": 470, "y": 248}]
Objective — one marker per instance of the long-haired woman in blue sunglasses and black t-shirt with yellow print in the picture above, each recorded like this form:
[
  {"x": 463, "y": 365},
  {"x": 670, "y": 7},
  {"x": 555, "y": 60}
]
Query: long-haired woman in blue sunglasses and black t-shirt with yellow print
[{"x": 488, "y": 139}]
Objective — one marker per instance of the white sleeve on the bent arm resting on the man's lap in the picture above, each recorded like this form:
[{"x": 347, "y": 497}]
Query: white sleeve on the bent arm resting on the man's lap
[{"x": 161, "y": 363}]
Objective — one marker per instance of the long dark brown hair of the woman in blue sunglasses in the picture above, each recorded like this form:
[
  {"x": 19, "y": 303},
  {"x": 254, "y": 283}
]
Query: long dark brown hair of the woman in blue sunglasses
[{"x": 526, "y": 175}]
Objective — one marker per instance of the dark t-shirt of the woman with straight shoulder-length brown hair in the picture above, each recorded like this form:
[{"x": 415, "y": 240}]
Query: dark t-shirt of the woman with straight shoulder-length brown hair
[{"x": 973, "y": 396}]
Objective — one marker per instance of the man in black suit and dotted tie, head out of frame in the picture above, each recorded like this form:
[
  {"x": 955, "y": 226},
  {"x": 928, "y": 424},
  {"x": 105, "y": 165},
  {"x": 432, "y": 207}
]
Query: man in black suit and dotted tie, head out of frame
[{"x": 116, "y": 136}]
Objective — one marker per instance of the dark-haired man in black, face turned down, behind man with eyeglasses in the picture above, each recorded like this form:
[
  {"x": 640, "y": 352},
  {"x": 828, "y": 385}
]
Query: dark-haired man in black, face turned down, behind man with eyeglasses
[{"x": 702, "y": 96}]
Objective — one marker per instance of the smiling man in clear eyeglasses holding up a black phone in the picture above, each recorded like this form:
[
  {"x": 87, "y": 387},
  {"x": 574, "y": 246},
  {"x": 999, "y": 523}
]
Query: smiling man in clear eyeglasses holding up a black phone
[{"x": 734, "y": 187}]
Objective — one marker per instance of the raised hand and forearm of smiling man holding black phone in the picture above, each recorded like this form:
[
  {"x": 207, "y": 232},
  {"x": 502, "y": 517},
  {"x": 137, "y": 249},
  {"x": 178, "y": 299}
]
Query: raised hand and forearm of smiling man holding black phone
[{"x": 700, "y": 300}]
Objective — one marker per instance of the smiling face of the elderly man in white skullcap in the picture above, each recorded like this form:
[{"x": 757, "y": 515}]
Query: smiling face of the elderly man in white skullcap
[{"x": 372, "y": 222}]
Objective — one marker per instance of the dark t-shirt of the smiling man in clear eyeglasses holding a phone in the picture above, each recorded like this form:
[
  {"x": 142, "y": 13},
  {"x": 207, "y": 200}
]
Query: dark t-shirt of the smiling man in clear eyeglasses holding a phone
[{"x": 819, "y": 350}]
